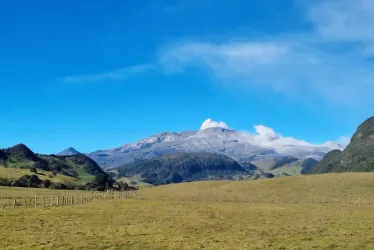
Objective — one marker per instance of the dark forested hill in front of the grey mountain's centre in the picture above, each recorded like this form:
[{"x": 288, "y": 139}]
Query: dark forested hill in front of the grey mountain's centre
[{"x": 184, "y": 167}]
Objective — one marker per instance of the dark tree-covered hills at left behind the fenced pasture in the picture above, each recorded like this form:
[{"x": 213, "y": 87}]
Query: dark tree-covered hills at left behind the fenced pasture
[{"x": 78, "y": 167}]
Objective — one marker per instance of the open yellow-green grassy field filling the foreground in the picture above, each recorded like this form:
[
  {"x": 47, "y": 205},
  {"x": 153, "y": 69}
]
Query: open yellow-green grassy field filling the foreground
[{"x": 334, "y": 211}]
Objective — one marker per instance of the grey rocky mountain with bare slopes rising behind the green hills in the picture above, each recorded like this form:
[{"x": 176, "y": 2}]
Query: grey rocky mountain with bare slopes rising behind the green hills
[{"x": 240, "y": 146}]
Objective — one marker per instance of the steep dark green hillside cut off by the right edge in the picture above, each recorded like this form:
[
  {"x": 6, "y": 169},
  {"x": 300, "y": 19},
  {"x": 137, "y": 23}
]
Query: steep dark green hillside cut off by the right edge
[{"x": 357, "y": 157}]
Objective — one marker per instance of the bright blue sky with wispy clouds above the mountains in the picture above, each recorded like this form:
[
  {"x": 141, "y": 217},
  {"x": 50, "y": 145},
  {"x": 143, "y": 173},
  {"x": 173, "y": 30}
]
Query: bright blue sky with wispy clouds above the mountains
[{"x": 99, "y": 74}]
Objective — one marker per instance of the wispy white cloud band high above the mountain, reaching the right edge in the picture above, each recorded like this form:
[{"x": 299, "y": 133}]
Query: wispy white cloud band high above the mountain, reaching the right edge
[{"x": 299, "y": 70}]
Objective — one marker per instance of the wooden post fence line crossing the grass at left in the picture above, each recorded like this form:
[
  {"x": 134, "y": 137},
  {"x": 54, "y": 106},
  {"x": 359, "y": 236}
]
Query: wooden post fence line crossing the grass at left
[{"x": 59, "y": 200}]
